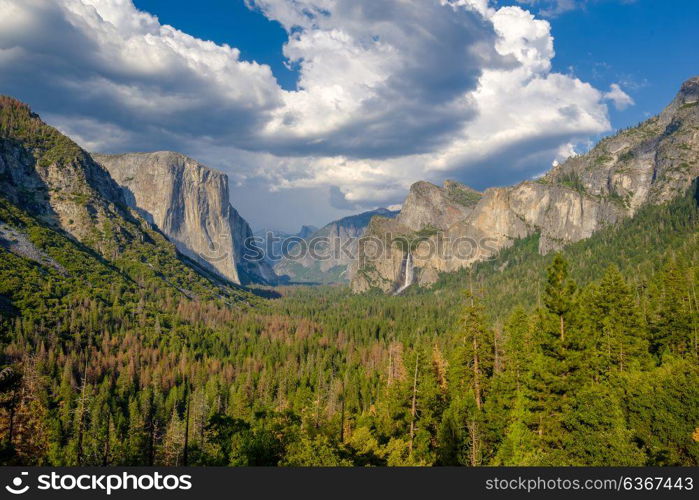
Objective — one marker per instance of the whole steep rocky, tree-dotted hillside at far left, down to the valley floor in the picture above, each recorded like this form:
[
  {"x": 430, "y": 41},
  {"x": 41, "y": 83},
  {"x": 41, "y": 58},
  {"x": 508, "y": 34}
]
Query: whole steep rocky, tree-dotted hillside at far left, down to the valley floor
[{"x": 63, "y": 212}]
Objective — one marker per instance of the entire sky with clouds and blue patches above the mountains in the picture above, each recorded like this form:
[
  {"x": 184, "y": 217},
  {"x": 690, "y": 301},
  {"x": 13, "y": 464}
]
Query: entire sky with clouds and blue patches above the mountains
[{"x": 318, "y": 109}]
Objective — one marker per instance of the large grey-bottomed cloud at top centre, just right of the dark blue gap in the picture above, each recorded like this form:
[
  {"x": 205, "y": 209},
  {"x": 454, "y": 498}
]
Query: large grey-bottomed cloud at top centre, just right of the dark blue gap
[{"x": 378, "y": 79}]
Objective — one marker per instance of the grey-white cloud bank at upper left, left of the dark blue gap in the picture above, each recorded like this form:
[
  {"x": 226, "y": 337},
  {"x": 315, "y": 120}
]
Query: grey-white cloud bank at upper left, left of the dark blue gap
[{"x": 105, "y": 61}]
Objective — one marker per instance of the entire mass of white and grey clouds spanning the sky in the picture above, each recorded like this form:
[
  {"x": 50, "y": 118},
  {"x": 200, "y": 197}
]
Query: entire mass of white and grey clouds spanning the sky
[{"x": 388, "y": 93}]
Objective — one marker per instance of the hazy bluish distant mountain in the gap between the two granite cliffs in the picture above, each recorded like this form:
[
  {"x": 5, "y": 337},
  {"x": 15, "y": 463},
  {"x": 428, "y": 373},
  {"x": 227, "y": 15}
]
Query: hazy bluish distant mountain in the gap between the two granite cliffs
[{"x": 327, "y": 252}]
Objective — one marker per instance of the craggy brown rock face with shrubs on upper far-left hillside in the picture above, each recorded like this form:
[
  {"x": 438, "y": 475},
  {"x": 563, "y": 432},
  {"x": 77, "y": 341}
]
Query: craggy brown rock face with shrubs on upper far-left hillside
[{"x": 52, "y": 178}]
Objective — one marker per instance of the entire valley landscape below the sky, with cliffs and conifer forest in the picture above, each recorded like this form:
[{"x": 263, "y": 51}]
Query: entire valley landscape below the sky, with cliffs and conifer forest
[{"x": 136, "y": 330}]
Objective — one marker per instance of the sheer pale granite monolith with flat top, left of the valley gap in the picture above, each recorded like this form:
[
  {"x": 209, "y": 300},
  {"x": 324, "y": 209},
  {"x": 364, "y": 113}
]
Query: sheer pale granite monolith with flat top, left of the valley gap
[{"x": 190, "y": 204}]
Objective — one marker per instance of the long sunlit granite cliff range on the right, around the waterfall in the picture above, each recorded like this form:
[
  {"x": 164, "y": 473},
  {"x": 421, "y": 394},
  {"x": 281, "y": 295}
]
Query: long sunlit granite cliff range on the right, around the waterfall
[{"x": 650, "y": 163}]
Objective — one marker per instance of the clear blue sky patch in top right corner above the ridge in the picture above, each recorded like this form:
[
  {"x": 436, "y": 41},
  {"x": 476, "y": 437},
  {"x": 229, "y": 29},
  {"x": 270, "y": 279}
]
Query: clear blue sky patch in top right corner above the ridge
[{"x": 645, "y": 45}]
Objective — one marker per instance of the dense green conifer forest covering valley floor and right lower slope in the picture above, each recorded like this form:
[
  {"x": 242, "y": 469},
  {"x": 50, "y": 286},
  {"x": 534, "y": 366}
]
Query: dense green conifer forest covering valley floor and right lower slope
[{"x": 588, "y": 357}]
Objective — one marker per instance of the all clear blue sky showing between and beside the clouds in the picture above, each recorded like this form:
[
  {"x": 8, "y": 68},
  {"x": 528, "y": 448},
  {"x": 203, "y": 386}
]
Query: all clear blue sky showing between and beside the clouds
[{"x": 648, "y": 45}]
